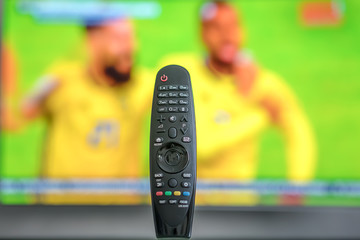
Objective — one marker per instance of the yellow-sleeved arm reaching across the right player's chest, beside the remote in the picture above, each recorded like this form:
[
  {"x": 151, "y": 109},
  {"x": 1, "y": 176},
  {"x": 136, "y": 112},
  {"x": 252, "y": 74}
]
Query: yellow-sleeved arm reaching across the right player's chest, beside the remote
[{"x": 214, "y": 138}]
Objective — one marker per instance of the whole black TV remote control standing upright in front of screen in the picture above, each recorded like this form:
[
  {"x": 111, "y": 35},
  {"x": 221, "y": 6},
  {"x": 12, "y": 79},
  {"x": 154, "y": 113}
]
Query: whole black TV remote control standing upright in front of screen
[{"x": 173, "y": 153}]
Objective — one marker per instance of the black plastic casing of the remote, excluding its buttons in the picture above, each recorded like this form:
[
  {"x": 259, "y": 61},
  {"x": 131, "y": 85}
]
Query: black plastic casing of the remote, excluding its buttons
[{"x": 173, "y": 221}]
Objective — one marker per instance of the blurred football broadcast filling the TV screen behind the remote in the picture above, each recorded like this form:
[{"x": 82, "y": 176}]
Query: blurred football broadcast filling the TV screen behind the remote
[{"x": 289, "y": 136}]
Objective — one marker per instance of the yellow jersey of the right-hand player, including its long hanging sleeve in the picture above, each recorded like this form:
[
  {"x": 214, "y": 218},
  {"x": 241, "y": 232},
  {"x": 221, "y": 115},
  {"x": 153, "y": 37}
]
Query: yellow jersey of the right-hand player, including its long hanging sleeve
[{"x": 229, "y": 124}]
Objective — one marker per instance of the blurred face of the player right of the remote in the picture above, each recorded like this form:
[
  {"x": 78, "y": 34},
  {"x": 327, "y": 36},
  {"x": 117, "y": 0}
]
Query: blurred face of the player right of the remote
[{"x": 221, "y": 35}]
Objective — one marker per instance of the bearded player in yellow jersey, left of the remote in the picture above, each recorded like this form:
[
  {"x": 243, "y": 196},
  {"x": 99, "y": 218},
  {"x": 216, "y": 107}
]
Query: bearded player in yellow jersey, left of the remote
[{"x": 95, "y": 109}]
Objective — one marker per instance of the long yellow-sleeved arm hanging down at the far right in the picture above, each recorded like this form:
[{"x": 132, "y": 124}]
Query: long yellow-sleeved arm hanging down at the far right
[{"x": 288, "y": 115}]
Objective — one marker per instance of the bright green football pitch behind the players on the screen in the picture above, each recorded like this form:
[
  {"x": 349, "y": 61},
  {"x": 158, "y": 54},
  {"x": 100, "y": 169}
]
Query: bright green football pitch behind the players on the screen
[{"x": 321, "y": 64}]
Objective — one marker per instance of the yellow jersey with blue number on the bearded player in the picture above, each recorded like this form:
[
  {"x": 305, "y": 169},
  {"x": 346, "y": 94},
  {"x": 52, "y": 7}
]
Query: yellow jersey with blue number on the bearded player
[{"x": 94, "y": 130}]
